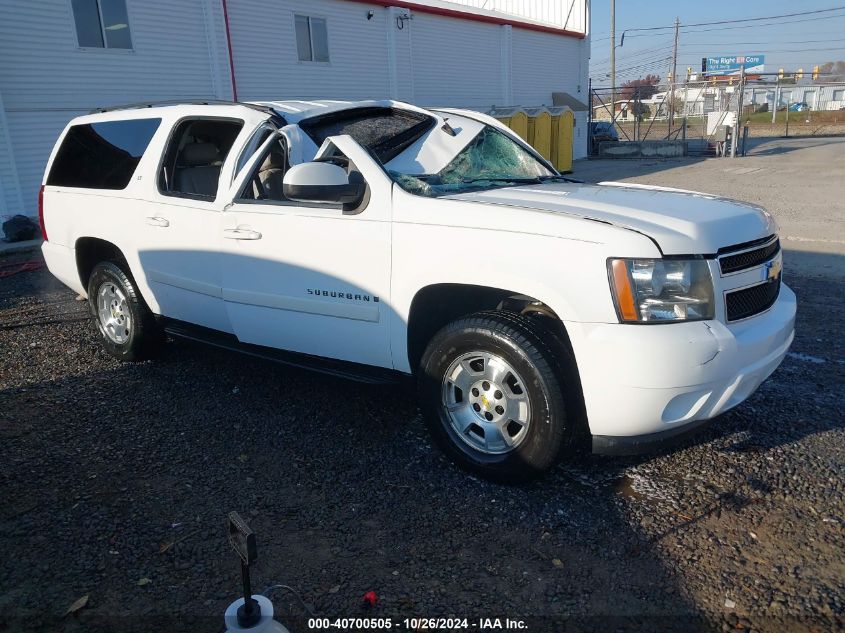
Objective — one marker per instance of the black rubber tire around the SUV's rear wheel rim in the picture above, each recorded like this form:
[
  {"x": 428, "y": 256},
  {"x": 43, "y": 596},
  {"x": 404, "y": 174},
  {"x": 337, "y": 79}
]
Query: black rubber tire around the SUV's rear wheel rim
[{"x": 144, "y": 338}]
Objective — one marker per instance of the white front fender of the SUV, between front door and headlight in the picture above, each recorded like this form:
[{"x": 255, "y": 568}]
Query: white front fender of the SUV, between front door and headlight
[{"x": 559, "y": 260}]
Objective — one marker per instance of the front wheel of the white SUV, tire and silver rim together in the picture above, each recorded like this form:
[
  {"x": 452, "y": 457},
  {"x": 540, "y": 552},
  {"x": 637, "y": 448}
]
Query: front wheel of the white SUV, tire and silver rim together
[{"x": 491, "y": 394}]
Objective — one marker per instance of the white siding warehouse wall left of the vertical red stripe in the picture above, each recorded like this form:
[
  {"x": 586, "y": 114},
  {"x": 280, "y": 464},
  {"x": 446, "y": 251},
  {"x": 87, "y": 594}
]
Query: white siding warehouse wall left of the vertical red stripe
[{"x": 46, "y": 79}]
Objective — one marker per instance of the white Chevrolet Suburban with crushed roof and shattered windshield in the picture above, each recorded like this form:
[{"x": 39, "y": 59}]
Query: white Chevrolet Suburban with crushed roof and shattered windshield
[{"x": 375, "y": 239}]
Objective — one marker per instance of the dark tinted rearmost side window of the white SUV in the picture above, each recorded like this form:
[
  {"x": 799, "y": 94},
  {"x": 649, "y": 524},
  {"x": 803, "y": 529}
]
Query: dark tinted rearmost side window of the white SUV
[{"x": 102, "y": 155}]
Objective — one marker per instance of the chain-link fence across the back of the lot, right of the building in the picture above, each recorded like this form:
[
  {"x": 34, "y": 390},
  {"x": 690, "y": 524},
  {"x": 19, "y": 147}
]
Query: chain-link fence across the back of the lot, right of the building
[{"x": 700, "y": 118}]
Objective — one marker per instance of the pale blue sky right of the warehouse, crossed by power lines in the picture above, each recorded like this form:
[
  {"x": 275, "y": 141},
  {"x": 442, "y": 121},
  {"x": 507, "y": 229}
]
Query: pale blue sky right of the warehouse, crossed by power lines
[{"x": 790, "y": 42}]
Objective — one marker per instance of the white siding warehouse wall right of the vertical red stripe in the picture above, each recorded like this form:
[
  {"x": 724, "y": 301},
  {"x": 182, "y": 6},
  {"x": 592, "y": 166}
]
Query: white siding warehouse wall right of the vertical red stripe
[{"x": 432, "y": 60}]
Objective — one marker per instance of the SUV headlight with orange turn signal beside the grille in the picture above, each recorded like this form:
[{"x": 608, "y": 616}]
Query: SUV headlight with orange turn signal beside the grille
[{"x": 661, "y": 290}]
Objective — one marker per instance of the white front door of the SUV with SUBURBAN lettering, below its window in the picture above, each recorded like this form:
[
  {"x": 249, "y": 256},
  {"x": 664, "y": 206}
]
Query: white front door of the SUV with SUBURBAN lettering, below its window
[{"x": 312, "y": 279}]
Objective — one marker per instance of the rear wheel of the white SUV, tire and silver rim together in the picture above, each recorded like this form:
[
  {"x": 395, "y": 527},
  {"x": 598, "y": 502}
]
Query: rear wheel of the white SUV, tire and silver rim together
[{"x": 127, "y": 327}]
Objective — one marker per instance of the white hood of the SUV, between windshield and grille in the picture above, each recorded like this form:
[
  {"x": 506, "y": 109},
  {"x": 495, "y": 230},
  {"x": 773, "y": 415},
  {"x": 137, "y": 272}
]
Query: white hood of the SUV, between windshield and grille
[{"x": 681, "y": 222}]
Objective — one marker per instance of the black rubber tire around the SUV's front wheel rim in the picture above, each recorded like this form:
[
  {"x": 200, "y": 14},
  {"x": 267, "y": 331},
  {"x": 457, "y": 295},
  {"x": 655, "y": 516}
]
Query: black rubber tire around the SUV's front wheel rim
[{"x": 543, "y": 366}]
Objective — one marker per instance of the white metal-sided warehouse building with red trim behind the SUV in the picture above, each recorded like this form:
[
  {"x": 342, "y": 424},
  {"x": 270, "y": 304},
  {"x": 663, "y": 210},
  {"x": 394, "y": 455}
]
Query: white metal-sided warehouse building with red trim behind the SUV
[{"x": 62, "y": 58}]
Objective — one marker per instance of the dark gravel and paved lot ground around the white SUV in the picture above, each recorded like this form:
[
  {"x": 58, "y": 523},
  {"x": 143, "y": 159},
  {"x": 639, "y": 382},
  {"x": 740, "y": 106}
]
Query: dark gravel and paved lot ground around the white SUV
[{"x": 115, "y": 479}]
